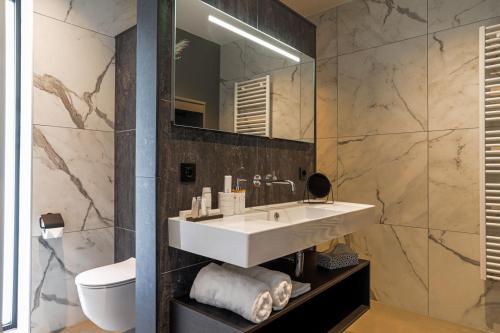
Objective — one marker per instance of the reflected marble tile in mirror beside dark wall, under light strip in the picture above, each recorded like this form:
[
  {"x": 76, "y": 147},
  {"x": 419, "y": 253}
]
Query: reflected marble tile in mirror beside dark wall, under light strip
[{"x": 233, "y": 60}]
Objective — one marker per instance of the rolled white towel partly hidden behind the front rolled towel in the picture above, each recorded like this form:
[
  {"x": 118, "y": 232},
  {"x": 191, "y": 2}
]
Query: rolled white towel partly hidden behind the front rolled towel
[{"x": 279, "y": 283}]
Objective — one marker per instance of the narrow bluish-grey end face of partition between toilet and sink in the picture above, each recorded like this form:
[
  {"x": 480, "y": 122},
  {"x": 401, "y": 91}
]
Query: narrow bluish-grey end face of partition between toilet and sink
[{"x": 145, "y": 180}]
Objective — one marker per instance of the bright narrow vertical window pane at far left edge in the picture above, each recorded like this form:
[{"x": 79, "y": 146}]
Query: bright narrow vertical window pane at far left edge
[{"x": 10, "y": 166}]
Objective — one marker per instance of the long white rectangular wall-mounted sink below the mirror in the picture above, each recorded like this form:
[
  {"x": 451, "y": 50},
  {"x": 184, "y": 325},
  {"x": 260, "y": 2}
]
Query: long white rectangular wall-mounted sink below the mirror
[{"x": 268, "y": 232}]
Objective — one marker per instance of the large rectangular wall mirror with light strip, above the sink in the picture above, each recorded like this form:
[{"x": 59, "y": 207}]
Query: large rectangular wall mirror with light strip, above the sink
[{"x": 232, "y": 77}]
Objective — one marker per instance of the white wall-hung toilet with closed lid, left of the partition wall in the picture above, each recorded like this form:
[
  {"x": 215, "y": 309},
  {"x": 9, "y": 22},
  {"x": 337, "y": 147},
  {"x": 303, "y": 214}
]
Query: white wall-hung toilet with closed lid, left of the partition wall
[{"x": 107, "y": 295}]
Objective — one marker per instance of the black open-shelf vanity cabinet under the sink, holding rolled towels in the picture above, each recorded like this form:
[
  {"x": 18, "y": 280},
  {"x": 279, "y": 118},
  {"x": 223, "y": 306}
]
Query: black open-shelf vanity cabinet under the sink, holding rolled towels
[{"x": 337, "y": 298}]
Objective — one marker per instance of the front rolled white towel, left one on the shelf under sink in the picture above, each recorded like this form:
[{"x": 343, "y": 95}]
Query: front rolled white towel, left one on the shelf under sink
[{"x": 226, "y": 289}]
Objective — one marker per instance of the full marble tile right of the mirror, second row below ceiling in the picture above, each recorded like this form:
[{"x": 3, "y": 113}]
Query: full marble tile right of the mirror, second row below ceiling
[{"x": 384, "y": 90}]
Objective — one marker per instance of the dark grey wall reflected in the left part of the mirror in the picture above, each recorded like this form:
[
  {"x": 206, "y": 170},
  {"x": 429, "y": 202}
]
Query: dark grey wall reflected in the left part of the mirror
[{"x": 197, "y": 74}]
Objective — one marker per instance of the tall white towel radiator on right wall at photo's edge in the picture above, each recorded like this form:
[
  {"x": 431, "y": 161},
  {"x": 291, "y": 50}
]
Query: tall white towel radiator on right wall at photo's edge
[{"x": 489, "y": 134}]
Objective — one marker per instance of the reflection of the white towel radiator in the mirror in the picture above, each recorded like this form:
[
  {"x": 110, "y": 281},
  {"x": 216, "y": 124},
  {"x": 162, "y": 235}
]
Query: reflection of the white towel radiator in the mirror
[{"x": 252, "y": 106}]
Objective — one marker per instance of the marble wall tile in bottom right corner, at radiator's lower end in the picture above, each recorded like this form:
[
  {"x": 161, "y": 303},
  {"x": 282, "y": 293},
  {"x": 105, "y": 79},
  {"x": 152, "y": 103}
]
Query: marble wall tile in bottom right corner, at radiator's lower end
[{"x": 456, "y": 292}]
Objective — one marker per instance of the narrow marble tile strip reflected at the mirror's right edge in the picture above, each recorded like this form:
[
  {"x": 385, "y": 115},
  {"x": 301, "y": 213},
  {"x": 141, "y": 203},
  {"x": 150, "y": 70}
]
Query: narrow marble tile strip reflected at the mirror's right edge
[{"x": 307, "y": 77}]
